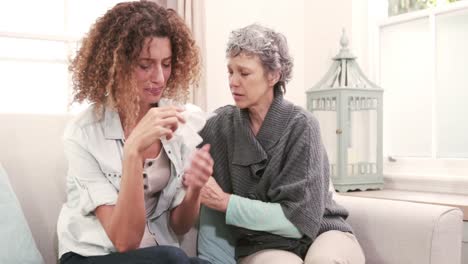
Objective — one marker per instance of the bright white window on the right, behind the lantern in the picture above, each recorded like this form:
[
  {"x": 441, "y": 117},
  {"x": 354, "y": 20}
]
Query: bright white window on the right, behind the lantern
[{"x": 422, "y": 67}]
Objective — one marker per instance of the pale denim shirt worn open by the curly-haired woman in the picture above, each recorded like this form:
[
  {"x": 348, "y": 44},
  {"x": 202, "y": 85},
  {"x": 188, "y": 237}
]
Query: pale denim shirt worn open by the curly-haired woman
[{"x": 94, "y": 149}]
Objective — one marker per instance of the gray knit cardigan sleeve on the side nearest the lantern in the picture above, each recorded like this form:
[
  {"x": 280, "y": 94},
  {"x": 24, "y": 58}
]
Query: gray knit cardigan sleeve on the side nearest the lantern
[{"x": 301, "y": 184}]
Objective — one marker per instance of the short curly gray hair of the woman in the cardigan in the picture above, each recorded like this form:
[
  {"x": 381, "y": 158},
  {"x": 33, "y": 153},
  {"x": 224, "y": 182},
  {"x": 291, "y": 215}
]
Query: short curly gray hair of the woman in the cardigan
[{"x": 270, "y": 46}]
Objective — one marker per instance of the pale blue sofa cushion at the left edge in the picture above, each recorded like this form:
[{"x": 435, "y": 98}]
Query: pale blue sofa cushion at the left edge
[{"x": 16, "y": 242}]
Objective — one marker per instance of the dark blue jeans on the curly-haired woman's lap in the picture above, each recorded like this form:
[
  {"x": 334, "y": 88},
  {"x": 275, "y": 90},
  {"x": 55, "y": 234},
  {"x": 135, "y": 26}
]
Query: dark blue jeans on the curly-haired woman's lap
[{"x": 149, "y": 255}]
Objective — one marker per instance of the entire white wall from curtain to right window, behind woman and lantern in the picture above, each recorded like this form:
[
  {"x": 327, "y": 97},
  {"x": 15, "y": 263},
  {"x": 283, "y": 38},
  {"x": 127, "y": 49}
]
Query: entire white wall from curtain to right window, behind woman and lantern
[{"x": 313, "y": 30}]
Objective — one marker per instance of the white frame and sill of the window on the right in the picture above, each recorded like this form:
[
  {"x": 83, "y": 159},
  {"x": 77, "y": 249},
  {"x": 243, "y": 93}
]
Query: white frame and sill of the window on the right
[{"x": 421, "y": 168}]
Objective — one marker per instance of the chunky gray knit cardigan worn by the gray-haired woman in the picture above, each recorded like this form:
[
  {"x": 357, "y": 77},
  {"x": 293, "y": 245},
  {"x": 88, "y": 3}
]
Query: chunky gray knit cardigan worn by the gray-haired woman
[{"x": 285, "y": 163}]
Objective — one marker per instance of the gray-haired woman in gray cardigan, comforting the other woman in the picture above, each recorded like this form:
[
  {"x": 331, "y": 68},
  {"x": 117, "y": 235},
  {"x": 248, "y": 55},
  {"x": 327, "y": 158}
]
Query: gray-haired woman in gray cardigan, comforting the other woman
[{"x": 268, "y": 198}]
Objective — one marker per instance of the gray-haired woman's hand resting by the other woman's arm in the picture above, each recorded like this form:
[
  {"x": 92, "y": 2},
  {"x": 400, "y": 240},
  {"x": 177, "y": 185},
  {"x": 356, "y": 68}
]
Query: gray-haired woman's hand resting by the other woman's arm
[{"x": 214, "y": 197}]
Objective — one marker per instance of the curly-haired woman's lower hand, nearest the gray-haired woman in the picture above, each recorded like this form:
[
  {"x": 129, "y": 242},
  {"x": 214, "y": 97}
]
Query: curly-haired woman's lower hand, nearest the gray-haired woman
[{"x": 200, "y": 170}]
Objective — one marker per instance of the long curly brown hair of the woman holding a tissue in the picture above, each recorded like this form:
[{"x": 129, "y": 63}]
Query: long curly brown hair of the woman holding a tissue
[{"x": 102, "y": 69}]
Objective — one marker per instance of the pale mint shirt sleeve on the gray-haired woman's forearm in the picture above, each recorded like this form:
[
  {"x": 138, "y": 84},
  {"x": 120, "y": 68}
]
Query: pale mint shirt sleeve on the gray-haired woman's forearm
[{"x": 260, "y": 216}]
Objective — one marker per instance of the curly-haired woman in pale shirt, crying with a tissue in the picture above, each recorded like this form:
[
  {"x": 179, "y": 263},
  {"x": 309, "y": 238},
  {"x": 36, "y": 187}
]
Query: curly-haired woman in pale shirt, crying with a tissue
[{"x": 128, "y": 192}]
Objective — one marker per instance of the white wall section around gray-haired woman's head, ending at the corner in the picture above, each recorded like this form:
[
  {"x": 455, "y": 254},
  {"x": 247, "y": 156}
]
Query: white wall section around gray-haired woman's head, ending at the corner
[{"x": 223, "y": 16}]
